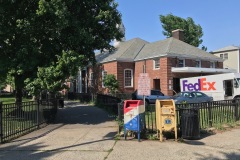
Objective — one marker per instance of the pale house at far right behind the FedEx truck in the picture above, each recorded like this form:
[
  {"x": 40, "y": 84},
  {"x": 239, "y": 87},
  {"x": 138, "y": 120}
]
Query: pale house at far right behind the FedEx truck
[{"x": 231, "y": 57}]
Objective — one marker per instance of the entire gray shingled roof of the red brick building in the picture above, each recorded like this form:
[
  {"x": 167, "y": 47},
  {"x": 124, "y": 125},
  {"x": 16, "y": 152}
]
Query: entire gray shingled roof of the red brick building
[{"x": 137, "y": 49}]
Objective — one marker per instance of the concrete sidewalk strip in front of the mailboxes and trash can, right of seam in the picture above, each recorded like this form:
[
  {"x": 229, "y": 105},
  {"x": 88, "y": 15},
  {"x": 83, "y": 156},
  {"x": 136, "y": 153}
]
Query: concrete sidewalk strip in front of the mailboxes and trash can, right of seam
[{"x": 220, "y": 146}]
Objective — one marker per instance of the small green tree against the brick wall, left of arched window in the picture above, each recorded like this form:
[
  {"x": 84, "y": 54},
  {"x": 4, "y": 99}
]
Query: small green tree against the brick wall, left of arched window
[{"x": 111, "y": 83}]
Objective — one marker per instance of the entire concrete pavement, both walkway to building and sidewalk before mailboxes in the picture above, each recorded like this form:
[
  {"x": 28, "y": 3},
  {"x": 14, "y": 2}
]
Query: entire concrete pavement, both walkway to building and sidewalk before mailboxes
[{"x": 87, "y": 133}]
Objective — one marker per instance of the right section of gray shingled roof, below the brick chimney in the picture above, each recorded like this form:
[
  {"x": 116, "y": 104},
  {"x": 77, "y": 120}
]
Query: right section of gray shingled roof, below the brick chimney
[{"x": 172, "y": 47}]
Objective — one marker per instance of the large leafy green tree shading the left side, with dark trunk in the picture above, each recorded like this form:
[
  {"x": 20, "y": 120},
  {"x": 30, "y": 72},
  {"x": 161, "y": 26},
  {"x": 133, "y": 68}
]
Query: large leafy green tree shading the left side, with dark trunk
[{"x": 54, "y": 37}]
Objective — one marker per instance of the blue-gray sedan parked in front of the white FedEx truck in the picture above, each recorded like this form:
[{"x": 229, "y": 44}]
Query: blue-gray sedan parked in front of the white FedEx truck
[{"x": 191, "y": 97}]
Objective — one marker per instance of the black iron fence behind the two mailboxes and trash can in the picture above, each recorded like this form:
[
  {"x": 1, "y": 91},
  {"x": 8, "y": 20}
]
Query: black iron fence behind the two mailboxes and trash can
[{"x": 211, "y": 114}]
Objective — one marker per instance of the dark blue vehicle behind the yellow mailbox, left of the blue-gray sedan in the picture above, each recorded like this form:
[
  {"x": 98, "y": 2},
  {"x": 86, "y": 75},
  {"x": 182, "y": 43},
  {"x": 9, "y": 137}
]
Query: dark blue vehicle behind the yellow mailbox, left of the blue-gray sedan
[{"x": 151, "y": 99}]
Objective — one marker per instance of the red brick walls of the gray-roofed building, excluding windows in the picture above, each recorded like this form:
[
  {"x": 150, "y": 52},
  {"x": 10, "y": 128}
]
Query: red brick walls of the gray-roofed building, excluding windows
[{"x": 163, "y": 74}]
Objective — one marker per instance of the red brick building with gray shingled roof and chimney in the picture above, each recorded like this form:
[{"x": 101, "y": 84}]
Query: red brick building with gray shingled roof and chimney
[{"x": 165, "y": 61}]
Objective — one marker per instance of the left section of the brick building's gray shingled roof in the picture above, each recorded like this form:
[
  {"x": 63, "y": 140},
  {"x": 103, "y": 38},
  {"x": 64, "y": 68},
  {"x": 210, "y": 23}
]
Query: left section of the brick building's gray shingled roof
[{"x": 127, "y": 50}]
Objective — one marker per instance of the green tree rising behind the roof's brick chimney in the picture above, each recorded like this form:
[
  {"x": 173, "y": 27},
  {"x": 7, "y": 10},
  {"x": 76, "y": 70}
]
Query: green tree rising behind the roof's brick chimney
[{"x": 192, "y": 32}]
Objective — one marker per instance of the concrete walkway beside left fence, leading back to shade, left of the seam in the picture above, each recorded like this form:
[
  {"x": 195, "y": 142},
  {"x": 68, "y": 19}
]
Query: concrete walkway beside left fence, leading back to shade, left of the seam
[{"x": 80, "y": 132}]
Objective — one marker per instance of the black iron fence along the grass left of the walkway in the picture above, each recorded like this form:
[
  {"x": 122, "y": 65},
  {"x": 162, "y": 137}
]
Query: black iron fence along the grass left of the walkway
[{"x": 19, "y": 119}]
